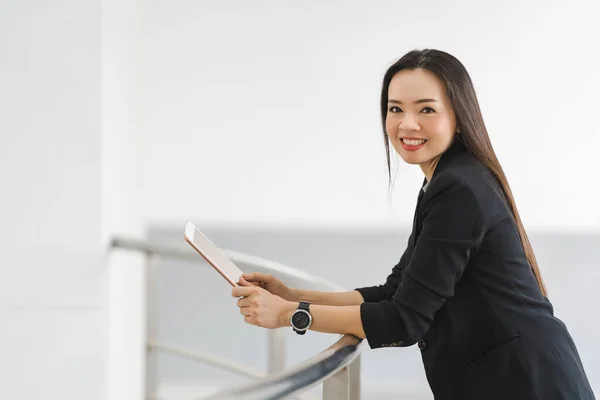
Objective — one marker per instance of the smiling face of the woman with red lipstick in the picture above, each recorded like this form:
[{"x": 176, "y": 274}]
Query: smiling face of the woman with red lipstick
[{"x": 420, "y": 121}]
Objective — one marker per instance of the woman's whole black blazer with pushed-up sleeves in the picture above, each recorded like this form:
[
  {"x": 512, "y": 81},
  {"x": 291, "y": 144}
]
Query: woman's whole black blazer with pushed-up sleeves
[{"x": 465, "y": 292}]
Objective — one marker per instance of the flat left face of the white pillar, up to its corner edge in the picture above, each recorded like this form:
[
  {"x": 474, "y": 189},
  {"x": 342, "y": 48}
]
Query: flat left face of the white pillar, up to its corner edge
[{"x": 52, "y": 312}]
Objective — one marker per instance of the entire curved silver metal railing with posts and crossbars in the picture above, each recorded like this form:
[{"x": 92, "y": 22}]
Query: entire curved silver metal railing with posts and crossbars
[{"x": 337, "y": 368}]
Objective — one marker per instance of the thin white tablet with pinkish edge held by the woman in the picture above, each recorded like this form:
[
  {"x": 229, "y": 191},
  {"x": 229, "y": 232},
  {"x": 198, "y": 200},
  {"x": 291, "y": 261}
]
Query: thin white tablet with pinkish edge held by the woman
[{"x": 212, "y": 254}]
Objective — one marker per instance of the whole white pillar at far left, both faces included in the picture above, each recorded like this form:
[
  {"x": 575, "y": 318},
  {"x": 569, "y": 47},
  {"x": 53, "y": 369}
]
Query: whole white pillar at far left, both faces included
[{"x": 71, "y": 313}]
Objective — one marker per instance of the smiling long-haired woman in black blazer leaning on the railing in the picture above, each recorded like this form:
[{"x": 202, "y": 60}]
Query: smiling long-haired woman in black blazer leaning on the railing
[{"x": 467, "y": 288}]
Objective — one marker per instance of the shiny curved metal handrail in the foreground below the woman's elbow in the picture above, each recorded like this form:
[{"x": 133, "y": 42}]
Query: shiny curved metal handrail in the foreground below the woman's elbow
[{"x": 301, "y": 378}]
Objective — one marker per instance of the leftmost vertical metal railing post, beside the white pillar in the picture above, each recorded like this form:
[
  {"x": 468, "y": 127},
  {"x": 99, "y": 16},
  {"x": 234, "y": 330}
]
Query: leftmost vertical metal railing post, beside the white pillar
[{"x": 151, "y": 326}]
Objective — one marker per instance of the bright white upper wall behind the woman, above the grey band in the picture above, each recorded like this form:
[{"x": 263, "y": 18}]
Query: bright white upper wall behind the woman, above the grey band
[{"x": 268, "y": 113}]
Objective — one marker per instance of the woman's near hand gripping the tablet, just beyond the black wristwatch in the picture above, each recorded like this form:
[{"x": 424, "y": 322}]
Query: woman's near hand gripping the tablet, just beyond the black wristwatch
[{"x": 261, "y": 308}]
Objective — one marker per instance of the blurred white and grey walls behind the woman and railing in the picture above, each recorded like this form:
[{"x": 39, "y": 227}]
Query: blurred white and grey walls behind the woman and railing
[{"x": 259, "y": 121}]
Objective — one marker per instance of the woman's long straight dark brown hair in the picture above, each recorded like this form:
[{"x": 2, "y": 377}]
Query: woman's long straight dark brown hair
[{"x": 461, "y": 93}]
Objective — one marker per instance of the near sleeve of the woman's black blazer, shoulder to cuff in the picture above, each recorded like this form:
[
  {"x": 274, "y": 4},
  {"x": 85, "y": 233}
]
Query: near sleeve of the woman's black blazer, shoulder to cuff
[{"x": 453, "y": 227}]
